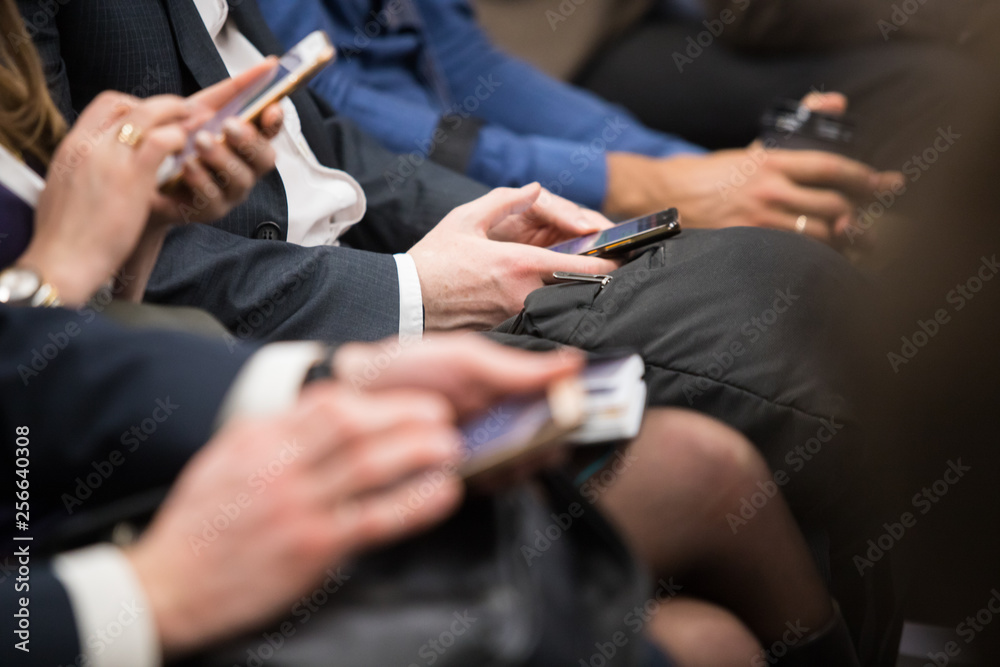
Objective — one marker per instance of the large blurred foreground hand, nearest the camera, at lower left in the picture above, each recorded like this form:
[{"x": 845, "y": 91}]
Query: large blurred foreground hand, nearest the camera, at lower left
[{"x": 303, "y": 493}]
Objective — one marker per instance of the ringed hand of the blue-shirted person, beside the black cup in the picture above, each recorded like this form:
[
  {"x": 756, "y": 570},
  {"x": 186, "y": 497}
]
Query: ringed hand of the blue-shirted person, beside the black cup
[{"x": 754, "y": 187}]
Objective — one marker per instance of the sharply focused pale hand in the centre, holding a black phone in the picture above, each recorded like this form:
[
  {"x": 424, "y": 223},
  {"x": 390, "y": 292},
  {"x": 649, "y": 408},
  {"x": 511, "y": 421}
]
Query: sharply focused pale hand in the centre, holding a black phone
[{"x": 478, "y": 264}]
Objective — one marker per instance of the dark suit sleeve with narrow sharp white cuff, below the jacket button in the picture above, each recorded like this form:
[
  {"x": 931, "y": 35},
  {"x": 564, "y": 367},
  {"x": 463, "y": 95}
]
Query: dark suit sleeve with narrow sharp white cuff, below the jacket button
[{"x": 272, "y": 290}]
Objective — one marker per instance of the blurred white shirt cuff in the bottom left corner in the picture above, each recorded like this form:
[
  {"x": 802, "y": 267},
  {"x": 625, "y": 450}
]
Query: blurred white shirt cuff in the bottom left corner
[{"x": 113, "y": 619}]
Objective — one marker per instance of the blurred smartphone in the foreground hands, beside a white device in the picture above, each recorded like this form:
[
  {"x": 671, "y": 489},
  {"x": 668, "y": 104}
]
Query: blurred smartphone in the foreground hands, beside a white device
[{"x": 520, "y": 427}]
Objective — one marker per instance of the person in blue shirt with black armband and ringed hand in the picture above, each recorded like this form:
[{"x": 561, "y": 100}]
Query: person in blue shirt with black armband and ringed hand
[{"x": 422, "y": 76}]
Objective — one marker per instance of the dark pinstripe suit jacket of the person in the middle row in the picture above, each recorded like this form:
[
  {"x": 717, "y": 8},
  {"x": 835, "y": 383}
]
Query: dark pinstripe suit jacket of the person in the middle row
[{"x": 258, "y": 288}]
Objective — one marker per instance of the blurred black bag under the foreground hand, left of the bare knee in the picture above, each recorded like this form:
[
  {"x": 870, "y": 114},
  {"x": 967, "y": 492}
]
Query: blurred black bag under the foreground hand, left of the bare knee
[{"x": 532, "y": 576}]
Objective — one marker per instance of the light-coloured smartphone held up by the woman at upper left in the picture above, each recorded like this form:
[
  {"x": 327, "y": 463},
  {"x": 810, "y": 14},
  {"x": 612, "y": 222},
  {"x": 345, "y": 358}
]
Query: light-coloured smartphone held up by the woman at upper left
[{"x": 302, "y": 62}]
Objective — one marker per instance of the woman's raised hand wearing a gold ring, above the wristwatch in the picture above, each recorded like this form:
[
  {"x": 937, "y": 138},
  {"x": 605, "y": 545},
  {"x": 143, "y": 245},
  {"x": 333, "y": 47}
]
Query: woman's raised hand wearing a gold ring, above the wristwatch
[{"x": 97, "y": 197}]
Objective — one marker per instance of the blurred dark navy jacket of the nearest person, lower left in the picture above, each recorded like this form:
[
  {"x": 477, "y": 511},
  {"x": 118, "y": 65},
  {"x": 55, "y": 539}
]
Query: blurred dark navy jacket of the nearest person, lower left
[{"x": 111, "y": 414}]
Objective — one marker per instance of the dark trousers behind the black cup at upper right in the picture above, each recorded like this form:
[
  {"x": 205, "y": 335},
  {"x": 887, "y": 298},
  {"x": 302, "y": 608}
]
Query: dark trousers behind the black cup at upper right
[{"x": 715, "y": 95}]
